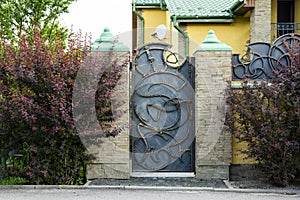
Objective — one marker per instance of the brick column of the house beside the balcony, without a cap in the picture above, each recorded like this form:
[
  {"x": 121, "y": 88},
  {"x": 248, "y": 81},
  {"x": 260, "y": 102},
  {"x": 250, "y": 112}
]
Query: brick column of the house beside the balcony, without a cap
[{"x": 260, "y": 22}]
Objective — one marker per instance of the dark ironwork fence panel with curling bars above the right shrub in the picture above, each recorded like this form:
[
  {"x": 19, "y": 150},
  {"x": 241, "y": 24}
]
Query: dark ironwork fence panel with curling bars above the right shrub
[{"x": 262, "y": 60}]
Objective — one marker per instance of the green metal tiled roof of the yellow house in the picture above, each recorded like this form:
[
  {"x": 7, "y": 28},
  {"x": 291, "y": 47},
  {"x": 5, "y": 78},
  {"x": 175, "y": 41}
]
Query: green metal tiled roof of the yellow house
[{"x": 198, "y": 8}]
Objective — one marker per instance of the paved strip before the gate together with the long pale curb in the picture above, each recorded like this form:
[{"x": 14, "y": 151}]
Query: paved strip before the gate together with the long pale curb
[{"x": 159, "y": 184}]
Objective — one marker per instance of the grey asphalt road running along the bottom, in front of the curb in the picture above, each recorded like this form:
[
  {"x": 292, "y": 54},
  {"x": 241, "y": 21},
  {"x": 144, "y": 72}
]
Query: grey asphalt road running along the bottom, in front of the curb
[{"x": 119, "y": 194}]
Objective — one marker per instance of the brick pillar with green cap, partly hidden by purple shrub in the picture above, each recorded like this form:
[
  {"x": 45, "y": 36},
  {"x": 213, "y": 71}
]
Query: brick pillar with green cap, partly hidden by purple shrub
[{"x": 111, "y": 154}]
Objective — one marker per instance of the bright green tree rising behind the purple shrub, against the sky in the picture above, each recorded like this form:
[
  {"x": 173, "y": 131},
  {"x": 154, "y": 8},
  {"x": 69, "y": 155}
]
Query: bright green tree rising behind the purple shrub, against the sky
[{"x": 19, "y": 15}]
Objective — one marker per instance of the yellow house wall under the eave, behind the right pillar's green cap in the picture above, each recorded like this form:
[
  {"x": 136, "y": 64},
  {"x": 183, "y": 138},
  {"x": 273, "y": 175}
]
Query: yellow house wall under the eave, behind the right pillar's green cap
[{"x": 234, "y": 34}]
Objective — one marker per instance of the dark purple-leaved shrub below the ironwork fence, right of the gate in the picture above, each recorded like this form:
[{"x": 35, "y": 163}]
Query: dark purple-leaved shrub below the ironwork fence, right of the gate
[{"x": 266, "y": 115}]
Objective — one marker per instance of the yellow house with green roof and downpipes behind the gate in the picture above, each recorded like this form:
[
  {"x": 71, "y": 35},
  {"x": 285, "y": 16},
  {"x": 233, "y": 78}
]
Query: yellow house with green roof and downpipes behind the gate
[{"x": 235, "y": 22}]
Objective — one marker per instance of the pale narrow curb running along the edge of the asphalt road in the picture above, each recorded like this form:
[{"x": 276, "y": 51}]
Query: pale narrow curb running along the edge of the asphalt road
[{"x": 158, "y": 188}]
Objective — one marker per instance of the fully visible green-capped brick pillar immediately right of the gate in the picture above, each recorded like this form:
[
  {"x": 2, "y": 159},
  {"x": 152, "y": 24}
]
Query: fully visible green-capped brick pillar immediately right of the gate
[{"x": 213, "y": 141}]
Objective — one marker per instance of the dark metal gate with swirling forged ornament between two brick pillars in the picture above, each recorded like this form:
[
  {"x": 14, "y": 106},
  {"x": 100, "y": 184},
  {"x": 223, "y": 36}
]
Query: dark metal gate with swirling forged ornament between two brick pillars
[{"x": 162, "y": 110}]
